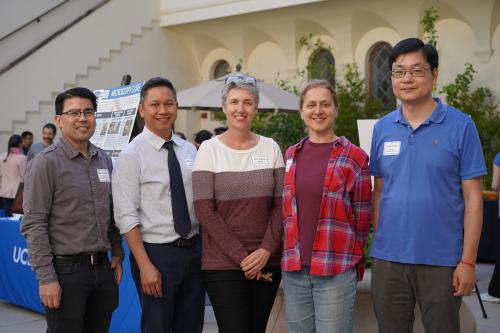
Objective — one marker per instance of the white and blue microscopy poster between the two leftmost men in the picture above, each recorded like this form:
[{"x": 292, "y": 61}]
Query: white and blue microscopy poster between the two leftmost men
[{"x": 116, "y": 113}]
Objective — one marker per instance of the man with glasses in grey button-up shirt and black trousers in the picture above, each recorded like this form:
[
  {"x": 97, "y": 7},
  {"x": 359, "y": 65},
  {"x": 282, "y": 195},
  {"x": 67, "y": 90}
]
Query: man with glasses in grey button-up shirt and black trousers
[{"x": 68, "y": 222}]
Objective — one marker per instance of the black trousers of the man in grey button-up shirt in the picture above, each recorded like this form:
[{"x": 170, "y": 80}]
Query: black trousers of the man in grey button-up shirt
[{"x": 89, "y": 297}]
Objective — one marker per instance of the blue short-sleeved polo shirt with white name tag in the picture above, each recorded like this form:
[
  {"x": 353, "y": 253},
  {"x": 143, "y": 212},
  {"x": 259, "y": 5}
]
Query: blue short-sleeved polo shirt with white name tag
[{"x": 421, "y": 216}]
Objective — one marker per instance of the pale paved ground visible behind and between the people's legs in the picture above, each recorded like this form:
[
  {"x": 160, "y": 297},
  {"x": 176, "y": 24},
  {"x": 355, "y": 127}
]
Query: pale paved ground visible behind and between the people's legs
[{"x": 17, "y": 320}]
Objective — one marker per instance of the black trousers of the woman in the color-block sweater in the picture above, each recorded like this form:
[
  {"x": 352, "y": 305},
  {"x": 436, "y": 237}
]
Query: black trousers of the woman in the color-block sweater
[{"x": 241, "y": 305}]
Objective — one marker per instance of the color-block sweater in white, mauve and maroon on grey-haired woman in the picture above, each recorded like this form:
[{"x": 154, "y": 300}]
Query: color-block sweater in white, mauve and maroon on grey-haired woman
[{"x": 237, "y": 199}]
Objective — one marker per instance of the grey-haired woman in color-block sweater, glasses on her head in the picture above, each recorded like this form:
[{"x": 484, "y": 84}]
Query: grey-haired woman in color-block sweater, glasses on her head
[{"x": 237, "y": 183}]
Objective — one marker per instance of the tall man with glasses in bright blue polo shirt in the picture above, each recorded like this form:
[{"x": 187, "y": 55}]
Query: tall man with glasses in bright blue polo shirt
[{"x": 428, "y": 164}]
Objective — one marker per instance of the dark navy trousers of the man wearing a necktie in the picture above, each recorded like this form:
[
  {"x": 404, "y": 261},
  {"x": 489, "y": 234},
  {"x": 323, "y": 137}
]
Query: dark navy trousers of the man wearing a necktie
[{"x": 181, "y": 308}]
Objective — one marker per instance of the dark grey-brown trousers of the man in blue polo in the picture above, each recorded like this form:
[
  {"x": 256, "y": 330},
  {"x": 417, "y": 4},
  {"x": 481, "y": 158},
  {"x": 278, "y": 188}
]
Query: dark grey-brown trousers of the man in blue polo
[{"x": 397, "y": 287}]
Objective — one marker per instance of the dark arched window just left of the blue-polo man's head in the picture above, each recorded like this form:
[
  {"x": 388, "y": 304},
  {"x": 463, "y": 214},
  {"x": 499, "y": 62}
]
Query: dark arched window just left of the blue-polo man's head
[{"x": 380, "y": 86}]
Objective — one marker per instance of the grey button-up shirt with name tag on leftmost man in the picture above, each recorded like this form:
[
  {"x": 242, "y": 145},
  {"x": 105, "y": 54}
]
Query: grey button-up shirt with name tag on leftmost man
[{"x": 68, "y": 206}]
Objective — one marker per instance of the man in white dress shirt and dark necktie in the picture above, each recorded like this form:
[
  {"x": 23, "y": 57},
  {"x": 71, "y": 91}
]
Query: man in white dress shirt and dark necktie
[{"x": 165, "y": 255}]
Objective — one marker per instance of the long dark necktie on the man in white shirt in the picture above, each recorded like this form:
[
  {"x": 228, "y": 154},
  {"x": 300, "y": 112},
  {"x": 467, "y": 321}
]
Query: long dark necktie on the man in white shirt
[{"x": 182, "y": 221}]
